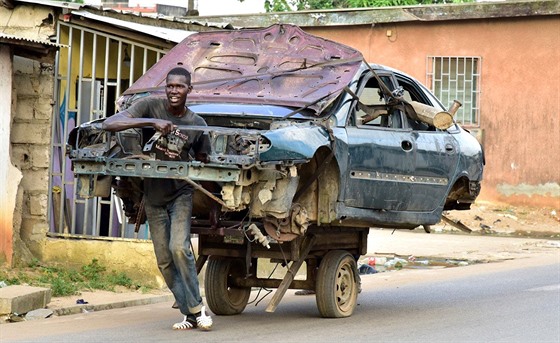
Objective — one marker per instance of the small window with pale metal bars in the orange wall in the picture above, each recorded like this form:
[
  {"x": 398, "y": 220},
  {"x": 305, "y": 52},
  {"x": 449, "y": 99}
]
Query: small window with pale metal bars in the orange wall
[{"x": 457, "y": 78}]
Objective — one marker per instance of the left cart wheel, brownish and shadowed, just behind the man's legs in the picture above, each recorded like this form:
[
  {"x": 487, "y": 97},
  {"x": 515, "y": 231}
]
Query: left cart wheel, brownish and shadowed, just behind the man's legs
[{"x": 222, "y": 298}]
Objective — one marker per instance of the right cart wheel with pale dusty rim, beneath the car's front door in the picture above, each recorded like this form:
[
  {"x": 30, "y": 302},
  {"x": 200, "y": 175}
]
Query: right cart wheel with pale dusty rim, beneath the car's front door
[{"x": 336, "y": 287}]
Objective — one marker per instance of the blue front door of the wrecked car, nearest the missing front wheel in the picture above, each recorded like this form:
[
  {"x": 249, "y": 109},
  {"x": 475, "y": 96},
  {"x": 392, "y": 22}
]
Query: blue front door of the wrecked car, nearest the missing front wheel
[{"x": 380, "y": 154}]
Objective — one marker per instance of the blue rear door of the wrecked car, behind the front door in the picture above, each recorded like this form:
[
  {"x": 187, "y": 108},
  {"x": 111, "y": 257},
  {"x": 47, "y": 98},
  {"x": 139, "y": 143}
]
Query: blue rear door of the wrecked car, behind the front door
[{"x": 436, "y": 153}]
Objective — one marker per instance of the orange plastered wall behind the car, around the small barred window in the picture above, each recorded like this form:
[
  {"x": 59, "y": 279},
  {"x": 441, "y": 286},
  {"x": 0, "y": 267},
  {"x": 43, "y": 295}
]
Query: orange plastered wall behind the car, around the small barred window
[{"x": 520, "y": 91}]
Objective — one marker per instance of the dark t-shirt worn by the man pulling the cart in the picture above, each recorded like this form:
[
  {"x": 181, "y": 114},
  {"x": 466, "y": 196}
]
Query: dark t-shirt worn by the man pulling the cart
[{"x": 173, "y": 147}]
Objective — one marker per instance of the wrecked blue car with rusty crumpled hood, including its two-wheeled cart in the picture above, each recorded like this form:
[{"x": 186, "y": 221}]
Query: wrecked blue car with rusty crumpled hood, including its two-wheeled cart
[{"x": 310, "y": 147}]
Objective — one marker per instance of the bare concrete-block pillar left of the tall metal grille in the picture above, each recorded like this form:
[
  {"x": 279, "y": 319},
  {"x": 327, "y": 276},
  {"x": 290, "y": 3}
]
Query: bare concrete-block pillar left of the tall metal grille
[{"x": 30, "y": 143}]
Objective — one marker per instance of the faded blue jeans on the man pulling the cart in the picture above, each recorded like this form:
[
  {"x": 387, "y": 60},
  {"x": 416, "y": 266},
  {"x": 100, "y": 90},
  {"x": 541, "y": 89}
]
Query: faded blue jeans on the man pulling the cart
[{"x": 170, "y": 228}]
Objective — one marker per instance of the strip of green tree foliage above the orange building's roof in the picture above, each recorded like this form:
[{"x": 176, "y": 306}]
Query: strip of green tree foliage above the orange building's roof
[{"x": 298, "y": 5}]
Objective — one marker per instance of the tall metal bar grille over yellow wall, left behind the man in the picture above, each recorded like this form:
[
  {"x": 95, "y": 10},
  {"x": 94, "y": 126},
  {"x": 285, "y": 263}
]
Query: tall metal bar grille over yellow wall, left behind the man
[{"x": 91, "y": 72}]
